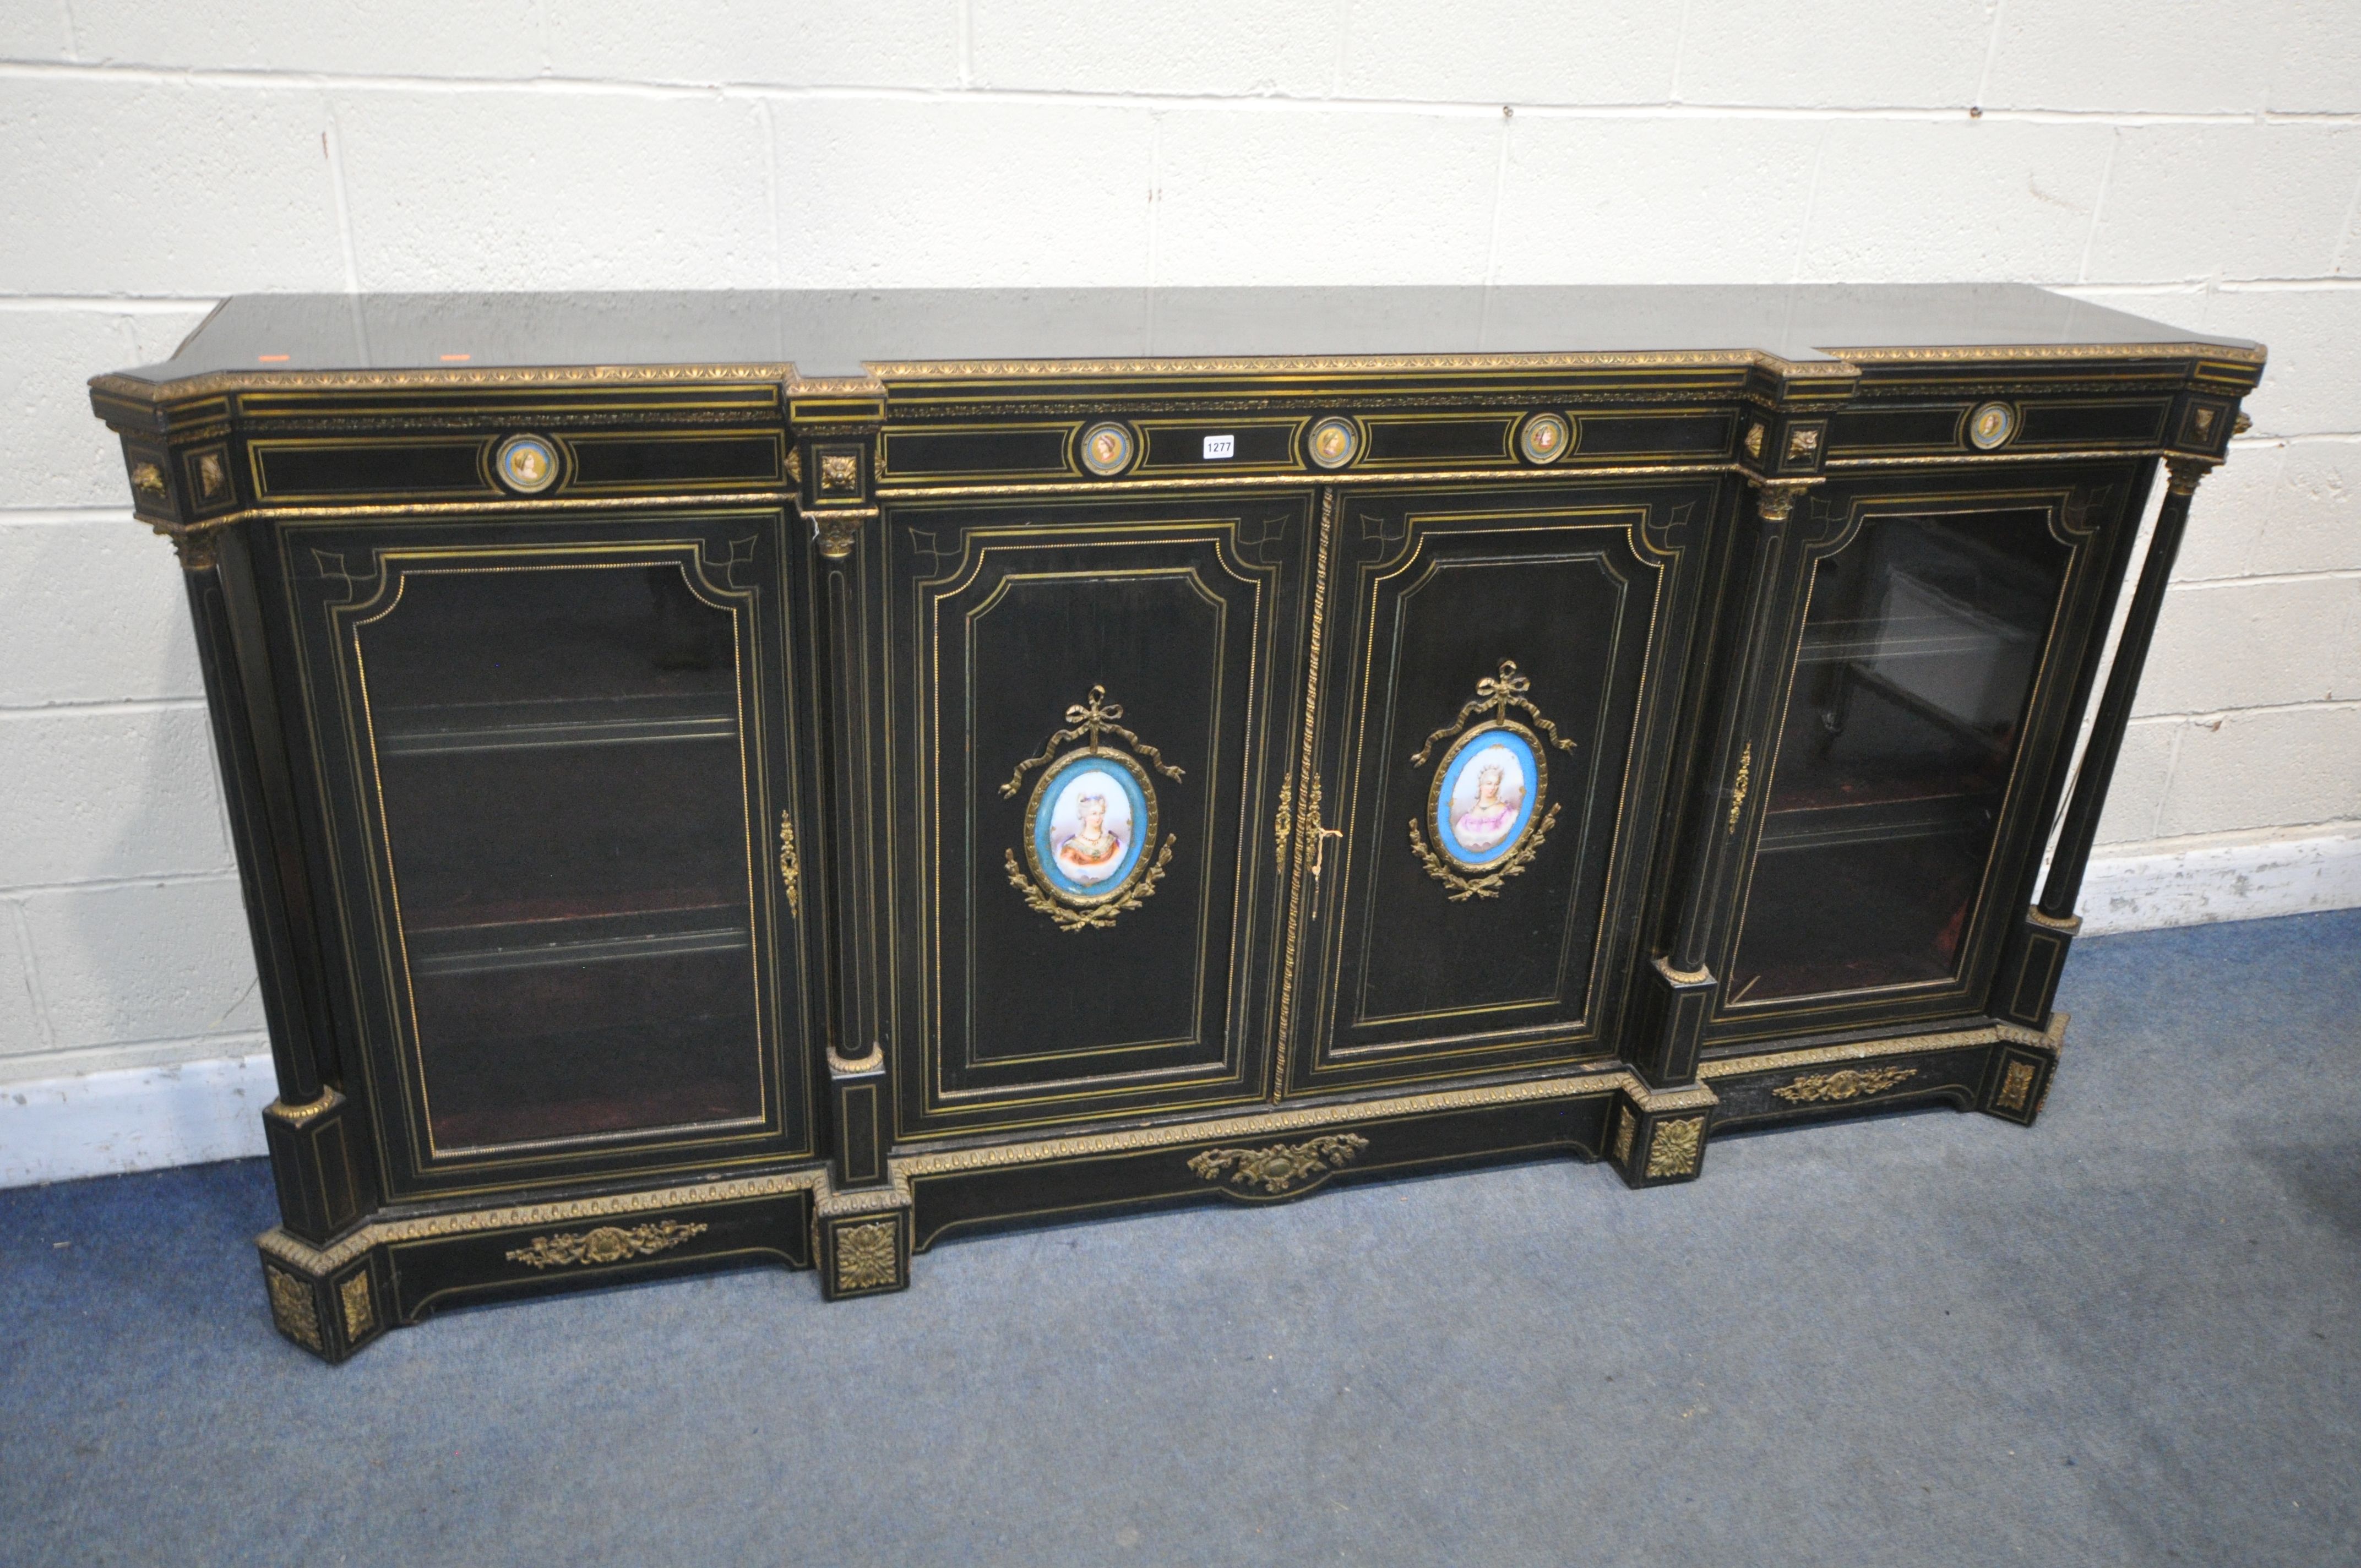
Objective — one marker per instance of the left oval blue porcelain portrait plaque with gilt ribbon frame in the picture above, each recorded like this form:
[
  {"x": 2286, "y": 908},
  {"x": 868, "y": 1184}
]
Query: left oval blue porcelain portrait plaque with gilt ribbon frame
[{"x": 1092, "y": 821}]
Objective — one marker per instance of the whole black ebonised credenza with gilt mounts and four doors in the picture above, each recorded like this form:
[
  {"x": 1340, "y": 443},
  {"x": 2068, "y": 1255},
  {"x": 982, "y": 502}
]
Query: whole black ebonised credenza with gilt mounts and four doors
[{"x": 797, "y": 776}]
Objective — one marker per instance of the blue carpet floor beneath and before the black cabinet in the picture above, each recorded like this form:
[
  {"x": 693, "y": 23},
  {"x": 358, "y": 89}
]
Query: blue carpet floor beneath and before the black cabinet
[{"x": 2131, "y": 1335}]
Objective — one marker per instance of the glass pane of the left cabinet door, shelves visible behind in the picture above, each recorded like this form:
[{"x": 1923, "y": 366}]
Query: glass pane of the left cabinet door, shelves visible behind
[{"x": 563, "y": 780}]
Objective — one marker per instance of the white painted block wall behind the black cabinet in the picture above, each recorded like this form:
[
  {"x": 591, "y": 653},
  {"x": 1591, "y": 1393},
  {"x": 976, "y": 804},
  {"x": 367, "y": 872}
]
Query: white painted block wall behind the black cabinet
[{"x": 2190, "y": 162}]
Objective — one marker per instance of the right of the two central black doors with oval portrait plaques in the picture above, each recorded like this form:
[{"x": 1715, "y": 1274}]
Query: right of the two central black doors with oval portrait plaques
[{"x": 1500, "y": 686}]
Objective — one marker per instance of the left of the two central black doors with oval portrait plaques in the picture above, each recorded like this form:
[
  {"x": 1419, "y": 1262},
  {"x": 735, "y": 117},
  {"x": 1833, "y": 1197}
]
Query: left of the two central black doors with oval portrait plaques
[{"x": 1090, "y": 717}]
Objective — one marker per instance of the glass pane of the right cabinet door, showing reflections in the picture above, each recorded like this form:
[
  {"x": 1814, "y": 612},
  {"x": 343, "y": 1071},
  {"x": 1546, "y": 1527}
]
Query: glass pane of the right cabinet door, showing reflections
[{"x": 1895, "y": 757}]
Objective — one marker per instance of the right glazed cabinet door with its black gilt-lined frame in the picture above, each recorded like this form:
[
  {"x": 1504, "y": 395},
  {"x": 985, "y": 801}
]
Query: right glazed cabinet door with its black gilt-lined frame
[{"x": 1907, "y": 733}]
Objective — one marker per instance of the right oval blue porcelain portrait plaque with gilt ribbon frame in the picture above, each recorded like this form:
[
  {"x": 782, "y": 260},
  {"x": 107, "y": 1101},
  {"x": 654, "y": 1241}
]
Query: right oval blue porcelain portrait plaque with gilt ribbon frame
[{"x": 1489, "y": 804}]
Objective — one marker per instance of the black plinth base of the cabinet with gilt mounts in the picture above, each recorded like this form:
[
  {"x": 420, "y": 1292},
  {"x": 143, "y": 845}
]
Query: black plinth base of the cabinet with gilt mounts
[{"x": 403, "y": 1267}]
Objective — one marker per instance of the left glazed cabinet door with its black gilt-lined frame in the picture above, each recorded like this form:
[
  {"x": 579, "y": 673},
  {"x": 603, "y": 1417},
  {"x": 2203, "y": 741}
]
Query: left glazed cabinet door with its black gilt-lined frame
[{"x": 558, "y": 764}]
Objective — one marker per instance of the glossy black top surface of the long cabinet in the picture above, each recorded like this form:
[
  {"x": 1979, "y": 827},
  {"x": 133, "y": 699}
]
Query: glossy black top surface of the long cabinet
[{"x": 823, "y": 334}]
